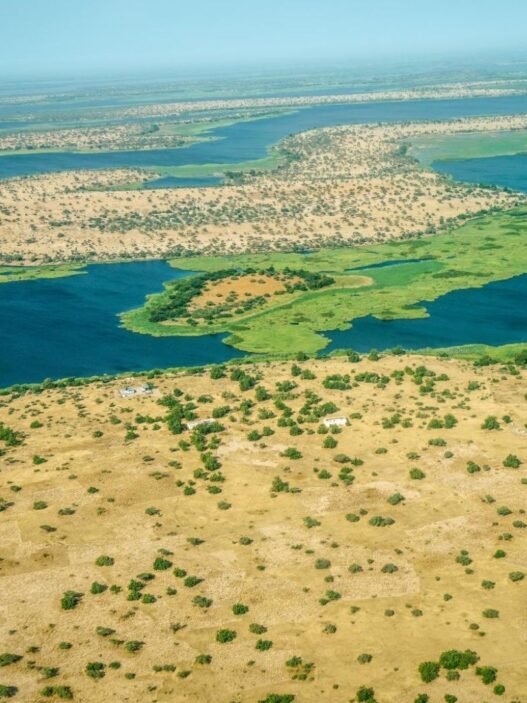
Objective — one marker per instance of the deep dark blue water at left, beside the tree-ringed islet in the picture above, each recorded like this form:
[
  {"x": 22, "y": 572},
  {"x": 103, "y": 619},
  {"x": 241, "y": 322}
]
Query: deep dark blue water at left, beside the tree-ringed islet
[{"x": 69, "y": 326}]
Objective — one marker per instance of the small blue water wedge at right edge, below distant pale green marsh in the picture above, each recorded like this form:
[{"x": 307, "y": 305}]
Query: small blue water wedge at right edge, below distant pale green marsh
[{"x": 504, "y": 171}]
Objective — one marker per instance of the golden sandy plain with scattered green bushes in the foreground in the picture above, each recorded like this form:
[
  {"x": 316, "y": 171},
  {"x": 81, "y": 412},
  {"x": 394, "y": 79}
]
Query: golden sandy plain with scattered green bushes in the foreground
[{"x": 98, "y": 493}]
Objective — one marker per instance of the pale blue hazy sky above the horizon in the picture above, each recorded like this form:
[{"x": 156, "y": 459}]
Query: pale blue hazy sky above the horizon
[{"x": 68, "y": 36}]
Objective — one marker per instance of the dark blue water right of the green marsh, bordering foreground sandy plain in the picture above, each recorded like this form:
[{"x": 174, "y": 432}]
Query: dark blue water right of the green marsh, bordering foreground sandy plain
[{"x": 495, "y": 314}]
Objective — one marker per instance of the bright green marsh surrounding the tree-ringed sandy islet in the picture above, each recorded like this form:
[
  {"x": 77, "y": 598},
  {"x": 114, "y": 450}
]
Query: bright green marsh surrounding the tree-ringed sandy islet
[{"x": 486, "y": 249}]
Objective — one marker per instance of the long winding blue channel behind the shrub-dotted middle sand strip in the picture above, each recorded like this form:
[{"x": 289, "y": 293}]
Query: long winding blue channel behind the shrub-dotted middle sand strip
[{"x": 246, "y": 141}]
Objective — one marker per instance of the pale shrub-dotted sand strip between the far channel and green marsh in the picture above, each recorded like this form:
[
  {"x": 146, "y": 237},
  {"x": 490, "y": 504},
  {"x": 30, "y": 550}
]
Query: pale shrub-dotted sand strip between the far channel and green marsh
[{"x": 345, "y": 185}]
